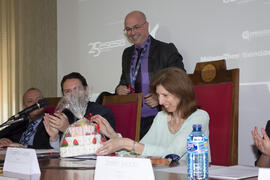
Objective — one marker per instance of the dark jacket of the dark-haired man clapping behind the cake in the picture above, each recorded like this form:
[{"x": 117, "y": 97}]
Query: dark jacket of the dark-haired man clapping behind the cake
[{"x": 94, "y": 108}]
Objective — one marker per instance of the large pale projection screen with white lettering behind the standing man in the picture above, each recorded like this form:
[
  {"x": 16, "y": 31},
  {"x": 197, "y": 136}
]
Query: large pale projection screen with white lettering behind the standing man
[{"x": 91, "y": 41}]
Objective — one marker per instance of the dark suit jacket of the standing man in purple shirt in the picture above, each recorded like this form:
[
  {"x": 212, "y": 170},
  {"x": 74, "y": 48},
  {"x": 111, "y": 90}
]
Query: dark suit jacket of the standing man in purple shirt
[{"x": 161, "y": 55}]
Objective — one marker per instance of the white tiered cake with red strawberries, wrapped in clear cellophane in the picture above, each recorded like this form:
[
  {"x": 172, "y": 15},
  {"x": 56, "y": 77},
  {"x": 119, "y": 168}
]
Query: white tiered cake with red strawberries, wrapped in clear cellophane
[{"x": 81, "y": 138}]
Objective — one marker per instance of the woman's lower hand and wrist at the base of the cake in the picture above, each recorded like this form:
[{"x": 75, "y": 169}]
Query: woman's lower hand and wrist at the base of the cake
[{"x": 114, "y": 145}]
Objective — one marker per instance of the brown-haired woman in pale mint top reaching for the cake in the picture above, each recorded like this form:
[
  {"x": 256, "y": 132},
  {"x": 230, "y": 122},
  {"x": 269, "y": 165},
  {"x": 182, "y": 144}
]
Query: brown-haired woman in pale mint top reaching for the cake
[{"x": 171, "y": 126}]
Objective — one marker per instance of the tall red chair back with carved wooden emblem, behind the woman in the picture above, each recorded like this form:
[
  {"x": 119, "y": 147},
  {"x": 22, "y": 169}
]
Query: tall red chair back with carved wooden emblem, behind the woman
[{"x": 217, "y": 92}]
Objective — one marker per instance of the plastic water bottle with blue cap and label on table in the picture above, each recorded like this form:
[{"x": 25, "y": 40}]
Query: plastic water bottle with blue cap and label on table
[{"x": 197, "y": 157}]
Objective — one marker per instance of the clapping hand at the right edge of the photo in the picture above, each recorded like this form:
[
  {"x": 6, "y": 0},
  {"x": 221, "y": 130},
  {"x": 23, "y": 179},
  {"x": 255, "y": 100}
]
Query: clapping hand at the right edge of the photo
[{"x": 263, "y": 144}]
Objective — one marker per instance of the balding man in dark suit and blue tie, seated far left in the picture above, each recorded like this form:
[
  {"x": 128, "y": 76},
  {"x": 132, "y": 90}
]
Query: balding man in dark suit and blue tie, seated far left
[{"x": 30, "y": 132}]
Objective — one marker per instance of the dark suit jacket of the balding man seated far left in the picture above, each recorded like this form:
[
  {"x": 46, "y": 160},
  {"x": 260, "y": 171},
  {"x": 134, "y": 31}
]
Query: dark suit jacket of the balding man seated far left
[{"x": 15, "y": 131}]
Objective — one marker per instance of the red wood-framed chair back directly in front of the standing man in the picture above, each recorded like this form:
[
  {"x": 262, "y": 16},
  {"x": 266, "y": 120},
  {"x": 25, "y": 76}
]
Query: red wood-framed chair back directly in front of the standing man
[{"x": 127, "y": 113}]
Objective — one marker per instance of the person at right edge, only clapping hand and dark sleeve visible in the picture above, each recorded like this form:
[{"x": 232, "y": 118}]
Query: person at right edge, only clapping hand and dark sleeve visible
[{"x": 263, "y": 145}]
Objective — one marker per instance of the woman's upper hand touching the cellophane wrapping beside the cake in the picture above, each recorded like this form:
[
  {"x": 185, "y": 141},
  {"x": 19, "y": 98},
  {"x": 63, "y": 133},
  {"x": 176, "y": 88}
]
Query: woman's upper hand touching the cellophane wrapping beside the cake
[{"x": 105, "y": 126}]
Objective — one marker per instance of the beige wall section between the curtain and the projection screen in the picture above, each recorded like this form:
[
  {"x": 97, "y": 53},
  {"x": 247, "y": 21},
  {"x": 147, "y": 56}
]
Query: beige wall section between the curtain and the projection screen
[{"x": 38, "y": 23}]
